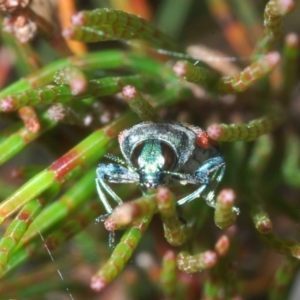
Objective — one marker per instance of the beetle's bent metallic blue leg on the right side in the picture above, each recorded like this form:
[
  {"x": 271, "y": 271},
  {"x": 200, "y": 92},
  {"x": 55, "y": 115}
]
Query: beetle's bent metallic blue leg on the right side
[{"x": 208, "y": 175}]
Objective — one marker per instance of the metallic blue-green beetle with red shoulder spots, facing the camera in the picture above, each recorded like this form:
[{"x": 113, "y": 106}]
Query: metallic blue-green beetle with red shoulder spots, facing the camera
[{"x": 161, "y": 154}]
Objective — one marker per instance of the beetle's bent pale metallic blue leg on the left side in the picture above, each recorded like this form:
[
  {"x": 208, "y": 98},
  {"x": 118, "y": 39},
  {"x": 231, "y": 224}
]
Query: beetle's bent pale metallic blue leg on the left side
[{"x": 112, "y": 173}]
